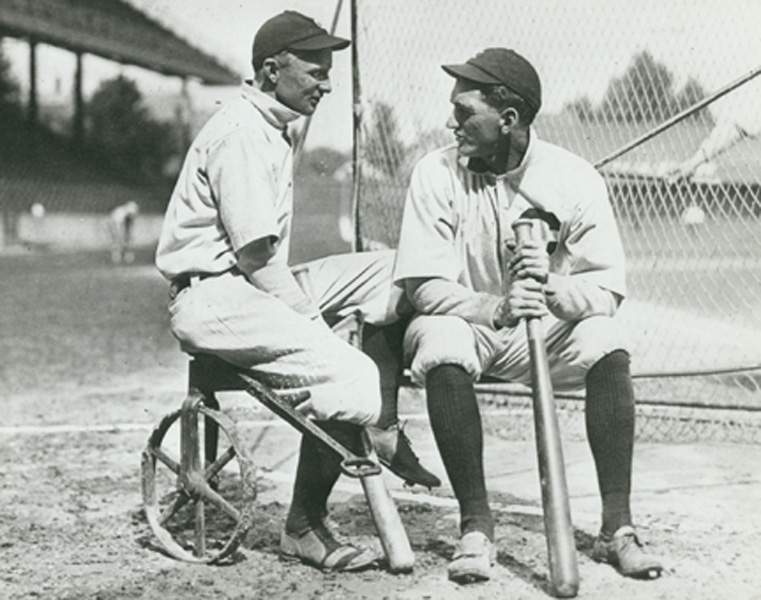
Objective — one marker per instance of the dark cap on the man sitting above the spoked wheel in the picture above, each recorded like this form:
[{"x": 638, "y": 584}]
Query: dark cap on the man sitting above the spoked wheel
[{"x": 291, "y": 30}]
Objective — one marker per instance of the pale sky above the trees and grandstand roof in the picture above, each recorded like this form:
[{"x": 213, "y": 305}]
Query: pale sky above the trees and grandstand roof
[{"x": 577, "y": 47}]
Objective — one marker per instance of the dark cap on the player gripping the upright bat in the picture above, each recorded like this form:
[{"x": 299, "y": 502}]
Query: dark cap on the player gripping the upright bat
[{"x": 500, "y": 66}]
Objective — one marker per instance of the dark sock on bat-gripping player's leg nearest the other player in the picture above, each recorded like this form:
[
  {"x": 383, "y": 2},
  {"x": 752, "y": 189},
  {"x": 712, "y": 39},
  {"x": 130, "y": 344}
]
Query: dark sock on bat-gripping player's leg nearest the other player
[{"x": 456, "y": 424}]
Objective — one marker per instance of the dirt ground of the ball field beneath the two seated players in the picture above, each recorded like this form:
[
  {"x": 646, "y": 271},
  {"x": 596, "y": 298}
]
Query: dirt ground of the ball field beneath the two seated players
[{"x": 71, "y": 523}]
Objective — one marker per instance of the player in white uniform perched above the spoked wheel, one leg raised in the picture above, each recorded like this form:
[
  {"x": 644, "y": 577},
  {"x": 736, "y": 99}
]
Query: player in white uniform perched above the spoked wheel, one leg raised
[{"x": 224, "y": 247}]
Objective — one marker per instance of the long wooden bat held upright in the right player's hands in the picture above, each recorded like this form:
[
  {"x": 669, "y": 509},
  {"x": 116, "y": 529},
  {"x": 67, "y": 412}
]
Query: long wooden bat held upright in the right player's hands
[{"x": 561, "y": 549}]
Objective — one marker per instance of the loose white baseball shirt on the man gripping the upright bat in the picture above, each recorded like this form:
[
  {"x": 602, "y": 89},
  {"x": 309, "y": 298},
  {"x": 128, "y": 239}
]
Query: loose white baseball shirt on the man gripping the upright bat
[{"x": 457, "y": 221}]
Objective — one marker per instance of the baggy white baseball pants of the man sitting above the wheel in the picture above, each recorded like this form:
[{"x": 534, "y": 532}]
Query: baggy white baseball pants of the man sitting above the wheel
[{"x": 227, "y": 316}]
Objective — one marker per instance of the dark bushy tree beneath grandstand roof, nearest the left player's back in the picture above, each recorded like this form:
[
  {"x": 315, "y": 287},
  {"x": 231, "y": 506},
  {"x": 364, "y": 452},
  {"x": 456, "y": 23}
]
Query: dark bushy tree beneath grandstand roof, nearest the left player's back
[{"x": 121, "y": 129}]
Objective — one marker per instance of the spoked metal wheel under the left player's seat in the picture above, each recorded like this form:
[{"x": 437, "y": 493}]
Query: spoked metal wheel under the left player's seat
[{"x": 195, "y": 502}]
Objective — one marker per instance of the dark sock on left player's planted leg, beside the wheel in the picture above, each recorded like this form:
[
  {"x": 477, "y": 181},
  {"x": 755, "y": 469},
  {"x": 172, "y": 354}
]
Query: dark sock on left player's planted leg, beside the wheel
[{"x": 317, "y": 472}]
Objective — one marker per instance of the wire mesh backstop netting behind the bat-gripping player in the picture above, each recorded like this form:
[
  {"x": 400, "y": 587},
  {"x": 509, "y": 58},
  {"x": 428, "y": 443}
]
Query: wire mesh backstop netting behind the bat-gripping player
[{"x": 611, "y": 72}]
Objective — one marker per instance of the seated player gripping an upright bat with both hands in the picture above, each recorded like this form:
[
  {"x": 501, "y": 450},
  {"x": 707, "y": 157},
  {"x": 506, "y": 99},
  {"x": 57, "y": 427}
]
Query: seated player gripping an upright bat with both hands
[{"x": 471, "y": 286}]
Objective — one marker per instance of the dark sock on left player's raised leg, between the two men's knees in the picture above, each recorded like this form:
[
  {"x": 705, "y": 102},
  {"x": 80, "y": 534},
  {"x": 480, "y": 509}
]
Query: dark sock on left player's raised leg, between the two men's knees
[{"x": 384, "y": 345}]
